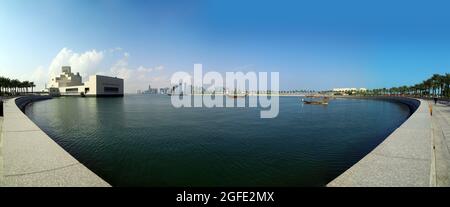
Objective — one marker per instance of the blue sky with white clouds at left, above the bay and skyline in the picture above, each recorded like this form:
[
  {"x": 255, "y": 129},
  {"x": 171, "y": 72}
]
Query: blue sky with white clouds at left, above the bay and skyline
[{"x": 317, "y": 45}]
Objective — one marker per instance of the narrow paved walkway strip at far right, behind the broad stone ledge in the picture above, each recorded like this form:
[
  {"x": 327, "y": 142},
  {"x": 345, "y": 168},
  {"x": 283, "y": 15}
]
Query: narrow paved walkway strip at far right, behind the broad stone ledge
[{"x": 441, "y": 140}]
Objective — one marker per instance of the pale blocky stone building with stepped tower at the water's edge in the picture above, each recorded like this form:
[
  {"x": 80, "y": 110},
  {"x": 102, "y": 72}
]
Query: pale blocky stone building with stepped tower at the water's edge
[{"x": 69, "y": 83}]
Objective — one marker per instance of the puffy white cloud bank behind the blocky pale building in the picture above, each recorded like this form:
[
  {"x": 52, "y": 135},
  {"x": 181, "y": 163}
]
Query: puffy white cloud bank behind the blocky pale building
[{"x": 106, "y": 62}]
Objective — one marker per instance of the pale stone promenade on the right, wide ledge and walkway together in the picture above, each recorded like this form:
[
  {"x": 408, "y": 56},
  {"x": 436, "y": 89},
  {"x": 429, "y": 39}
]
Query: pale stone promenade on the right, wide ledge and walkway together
[{"x": 408, "y": 157}]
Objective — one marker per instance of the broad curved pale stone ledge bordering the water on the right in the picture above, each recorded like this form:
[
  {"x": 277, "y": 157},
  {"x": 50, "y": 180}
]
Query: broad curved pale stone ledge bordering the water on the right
[{"x": 404, "y": 158}]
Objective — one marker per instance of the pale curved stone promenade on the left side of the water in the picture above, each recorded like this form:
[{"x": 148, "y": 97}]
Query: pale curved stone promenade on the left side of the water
[{"x": 28, "y": 157}]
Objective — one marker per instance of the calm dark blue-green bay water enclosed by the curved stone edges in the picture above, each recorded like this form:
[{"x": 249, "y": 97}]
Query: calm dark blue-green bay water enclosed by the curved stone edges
[{"x": 141, "y": 140}]
